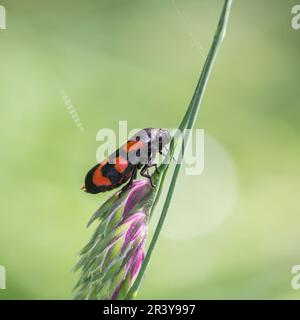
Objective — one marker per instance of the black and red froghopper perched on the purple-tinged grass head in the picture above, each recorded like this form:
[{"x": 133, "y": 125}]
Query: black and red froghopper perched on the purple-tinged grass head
[{"x": 138, "y": 153}]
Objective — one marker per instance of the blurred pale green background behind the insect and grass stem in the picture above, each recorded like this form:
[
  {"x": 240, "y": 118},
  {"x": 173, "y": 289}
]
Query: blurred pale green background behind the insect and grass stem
[{"x": 139, "y": 61}]
